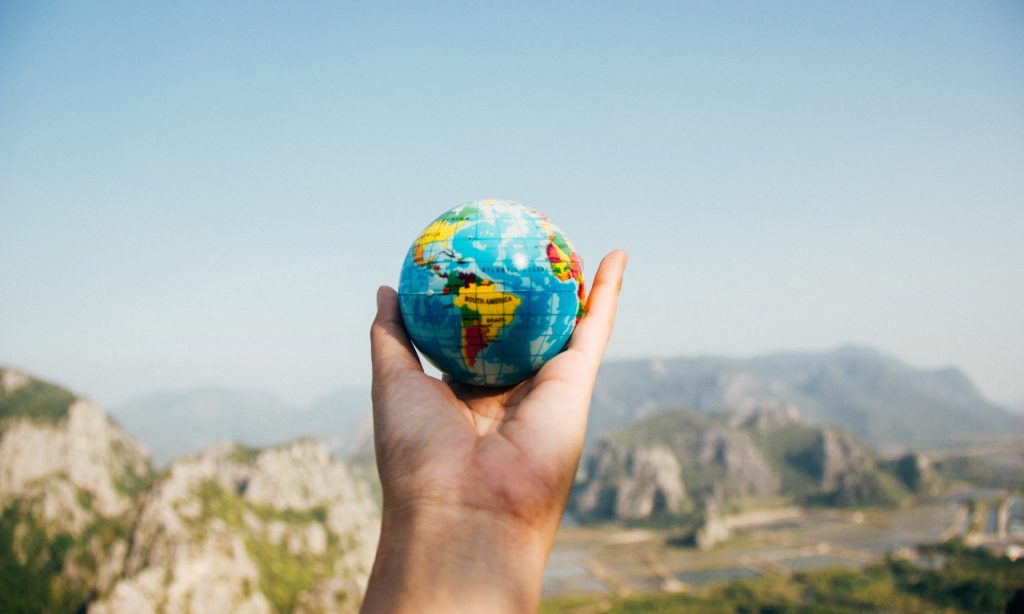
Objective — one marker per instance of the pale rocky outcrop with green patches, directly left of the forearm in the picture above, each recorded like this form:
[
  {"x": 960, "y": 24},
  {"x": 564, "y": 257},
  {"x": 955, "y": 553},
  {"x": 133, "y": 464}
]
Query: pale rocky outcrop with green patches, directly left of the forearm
[{"x": 239, "y": 531}]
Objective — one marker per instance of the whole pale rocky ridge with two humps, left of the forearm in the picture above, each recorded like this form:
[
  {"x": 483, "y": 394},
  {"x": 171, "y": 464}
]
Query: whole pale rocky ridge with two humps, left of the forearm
[{"x": 87, "y": 524}]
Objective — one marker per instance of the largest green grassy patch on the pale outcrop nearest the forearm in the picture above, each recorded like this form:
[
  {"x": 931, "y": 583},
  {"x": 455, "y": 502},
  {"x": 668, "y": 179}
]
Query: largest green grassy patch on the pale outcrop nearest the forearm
[{"x": 283, "y": 575}]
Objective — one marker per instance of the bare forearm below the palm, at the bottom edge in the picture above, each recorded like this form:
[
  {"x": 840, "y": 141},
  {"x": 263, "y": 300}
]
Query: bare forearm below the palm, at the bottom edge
[{"x": 457, "y": 561}]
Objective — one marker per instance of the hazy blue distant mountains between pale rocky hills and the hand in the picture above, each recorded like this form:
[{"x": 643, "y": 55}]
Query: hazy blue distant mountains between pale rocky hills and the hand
[{"x": 173, "y": 425}]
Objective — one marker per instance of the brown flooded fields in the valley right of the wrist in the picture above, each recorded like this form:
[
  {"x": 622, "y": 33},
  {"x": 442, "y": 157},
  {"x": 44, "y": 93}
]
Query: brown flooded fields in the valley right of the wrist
[{"x": 613, "y": 560}]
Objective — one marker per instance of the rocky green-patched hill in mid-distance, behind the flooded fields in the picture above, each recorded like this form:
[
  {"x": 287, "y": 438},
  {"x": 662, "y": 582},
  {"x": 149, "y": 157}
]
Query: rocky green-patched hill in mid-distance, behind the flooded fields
[{"x": 684, "y": 465}]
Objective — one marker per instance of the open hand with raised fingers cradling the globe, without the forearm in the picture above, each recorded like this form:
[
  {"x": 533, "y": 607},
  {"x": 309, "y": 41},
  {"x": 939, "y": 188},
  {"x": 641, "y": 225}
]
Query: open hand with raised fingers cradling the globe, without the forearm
[{"x": 510, "y": 453}]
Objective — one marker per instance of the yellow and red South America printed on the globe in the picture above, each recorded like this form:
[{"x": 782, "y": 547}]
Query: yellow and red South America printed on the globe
[{"x": 486, "y": 311}]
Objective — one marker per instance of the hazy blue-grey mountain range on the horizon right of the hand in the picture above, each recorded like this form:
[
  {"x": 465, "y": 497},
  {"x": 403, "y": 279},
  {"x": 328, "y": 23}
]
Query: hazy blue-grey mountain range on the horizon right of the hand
[{"x": 875, "y": 397}]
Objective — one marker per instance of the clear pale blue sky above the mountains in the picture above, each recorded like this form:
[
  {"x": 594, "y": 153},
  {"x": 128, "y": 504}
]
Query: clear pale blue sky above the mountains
[{"x": 211, "y": 193}]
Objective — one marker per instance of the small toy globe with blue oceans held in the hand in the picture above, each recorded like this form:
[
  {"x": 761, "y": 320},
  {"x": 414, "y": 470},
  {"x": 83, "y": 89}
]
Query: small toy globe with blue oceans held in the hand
[{"x": 491, "y": 291}]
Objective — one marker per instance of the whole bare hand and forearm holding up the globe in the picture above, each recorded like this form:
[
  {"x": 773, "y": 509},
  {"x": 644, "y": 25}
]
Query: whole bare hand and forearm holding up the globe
[{"x": 476, "y": 480}]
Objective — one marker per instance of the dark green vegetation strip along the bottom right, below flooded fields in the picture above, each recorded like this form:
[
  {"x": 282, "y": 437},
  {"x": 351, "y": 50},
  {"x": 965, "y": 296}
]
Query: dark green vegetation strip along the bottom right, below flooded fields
[{"x": 949, "y": 578}]
